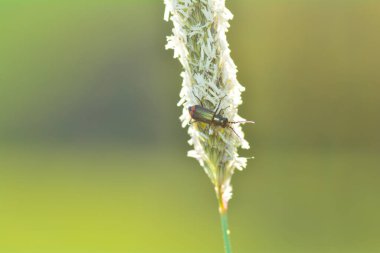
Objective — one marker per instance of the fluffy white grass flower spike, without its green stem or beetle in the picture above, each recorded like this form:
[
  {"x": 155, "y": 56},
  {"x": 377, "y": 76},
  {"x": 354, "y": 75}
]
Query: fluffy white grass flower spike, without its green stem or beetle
[{"x": 199, "y": 42}]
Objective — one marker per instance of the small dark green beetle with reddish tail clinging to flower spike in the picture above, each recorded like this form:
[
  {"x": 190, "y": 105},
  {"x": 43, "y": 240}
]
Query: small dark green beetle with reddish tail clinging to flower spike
[{"x": 214, "y": 118}]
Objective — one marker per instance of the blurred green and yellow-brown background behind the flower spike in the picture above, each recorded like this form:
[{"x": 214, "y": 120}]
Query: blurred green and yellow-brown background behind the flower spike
[{"x": 93, "y": 158}]
